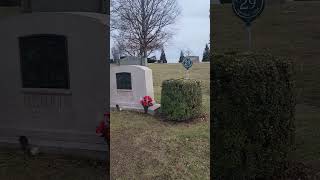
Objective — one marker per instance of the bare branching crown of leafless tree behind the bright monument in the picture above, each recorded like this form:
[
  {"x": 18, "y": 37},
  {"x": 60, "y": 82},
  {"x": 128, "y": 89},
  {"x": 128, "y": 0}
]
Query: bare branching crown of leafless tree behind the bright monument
[{"x": 143, "y": 26}]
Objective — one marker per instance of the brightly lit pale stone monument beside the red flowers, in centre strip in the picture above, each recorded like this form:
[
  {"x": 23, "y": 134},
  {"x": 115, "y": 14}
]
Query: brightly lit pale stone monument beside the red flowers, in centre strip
[{"x": 129, "y": 83}]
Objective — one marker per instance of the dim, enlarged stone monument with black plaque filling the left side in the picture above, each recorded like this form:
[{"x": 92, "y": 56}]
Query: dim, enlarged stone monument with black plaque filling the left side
[{"x": 54, "y": 76}]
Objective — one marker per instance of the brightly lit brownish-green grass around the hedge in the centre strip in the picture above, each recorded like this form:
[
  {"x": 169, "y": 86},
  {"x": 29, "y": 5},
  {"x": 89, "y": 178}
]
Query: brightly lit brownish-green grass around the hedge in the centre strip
[{"x": 144, "y": 147}]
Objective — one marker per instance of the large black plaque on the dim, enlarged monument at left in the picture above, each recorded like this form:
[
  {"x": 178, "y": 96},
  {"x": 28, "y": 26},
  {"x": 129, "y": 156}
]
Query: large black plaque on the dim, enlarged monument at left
[{"x": 44, "y": 61}]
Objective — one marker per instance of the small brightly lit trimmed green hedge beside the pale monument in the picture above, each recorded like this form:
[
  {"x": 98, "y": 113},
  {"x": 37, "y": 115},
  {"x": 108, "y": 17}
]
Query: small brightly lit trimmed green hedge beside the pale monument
[{"x": 181, "y": 99}]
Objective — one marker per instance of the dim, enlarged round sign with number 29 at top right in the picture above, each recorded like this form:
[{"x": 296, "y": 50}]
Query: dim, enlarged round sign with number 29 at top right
[{"x": 248, "y": 10}]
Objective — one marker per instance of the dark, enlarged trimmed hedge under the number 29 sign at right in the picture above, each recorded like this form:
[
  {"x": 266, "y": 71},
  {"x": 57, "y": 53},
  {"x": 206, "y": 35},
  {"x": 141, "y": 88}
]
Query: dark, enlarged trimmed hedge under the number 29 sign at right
[{"x": 253, "y": 115}]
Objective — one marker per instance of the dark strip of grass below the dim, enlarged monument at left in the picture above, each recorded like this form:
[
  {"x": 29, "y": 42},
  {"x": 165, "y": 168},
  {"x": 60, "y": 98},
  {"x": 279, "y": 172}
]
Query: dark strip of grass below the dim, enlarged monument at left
[{"x": 16, "y": 166}]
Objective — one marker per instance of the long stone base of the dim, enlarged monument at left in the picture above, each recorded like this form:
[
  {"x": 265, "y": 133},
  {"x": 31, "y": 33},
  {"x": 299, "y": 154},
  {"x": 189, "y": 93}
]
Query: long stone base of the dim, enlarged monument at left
[{"x": 66, "y": 143}]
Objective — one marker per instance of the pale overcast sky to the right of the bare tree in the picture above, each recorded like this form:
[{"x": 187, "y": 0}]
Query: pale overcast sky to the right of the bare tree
[{"x": 193, "y": 30}]
